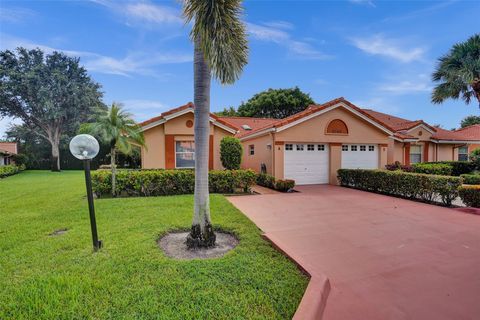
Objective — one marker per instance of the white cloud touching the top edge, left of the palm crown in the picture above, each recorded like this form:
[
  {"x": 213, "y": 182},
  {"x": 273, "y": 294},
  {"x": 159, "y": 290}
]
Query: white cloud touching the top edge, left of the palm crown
[{"x": 143, "y": 12}]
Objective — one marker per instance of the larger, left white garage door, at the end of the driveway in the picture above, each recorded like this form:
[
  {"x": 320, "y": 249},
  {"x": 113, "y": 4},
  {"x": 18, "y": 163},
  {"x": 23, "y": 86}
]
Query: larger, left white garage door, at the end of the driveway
[{"x": 306, "y": 163}]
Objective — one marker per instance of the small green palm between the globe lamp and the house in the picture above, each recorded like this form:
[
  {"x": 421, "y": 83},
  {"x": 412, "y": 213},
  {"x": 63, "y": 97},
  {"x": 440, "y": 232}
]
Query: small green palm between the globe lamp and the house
[{"x": 117, "y": 129}]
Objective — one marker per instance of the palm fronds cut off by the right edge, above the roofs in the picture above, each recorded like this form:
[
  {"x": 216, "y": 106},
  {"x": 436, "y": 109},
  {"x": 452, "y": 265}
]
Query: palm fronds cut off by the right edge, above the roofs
[{"x": 459, "y": 72}]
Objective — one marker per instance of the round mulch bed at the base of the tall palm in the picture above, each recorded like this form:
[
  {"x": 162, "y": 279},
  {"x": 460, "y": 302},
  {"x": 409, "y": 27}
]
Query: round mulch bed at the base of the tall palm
[{"x": 174, "y": 245}]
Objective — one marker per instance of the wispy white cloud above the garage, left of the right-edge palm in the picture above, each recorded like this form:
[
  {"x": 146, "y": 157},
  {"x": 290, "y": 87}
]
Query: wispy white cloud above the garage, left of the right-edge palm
[{"x": 379, "y": 45}]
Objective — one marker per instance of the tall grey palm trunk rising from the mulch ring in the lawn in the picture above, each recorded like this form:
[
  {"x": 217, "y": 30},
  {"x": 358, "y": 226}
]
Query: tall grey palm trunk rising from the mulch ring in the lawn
[{"x": 202, "y": 234}]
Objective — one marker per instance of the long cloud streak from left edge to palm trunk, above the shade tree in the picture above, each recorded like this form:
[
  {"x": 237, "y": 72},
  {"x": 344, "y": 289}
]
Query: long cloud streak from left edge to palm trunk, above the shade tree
[{"x": 142, "y": 63}]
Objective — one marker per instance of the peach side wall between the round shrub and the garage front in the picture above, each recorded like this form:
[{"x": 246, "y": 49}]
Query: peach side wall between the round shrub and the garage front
[{"x": 263, "y": 154}]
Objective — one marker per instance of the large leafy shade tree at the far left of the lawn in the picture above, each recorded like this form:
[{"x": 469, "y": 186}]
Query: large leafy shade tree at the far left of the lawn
[{"x": 50, "y": 93}]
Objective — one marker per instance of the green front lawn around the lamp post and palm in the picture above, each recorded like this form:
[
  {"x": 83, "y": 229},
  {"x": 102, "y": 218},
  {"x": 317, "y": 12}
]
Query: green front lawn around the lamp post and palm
[{"x": 59, "y": 277}]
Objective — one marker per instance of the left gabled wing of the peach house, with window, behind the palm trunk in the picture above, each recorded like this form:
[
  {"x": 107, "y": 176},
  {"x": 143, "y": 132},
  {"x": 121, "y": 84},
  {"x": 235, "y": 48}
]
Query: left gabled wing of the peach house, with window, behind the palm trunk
[{"x": 169, "y": 139}]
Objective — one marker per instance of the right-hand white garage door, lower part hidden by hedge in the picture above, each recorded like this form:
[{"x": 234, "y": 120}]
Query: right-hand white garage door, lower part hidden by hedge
[{"x": 360, "y": 156}]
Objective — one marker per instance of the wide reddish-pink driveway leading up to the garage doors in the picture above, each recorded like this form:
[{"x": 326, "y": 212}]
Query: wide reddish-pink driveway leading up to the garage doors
[{"x": 386, "y": 258}]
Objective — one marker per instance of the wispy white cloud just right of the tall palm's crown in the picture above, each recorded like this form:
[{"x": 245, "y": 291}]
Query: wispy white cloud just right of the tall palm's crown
[{"x": 278, "y": 35}]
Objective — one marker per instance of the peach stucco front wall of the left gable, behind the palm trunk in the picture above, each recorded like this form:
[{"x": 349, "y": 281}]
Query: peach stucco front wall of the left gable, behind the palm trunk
[{"x": 153, "y": 156}]
